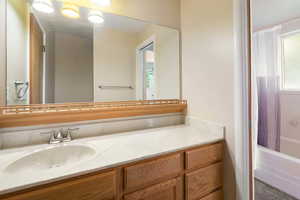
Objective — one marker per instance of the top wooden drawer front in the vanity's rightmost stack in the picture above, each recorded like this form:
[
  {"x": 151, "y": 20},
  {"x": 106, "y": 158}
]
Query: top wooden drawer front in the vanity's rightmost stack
[{"x": 204, "y": 156}]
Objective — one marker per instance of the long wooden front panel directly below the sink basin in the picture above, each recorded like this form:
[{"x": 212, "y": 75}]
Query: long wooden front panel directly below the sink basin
[{"x": 97, "y": 187}]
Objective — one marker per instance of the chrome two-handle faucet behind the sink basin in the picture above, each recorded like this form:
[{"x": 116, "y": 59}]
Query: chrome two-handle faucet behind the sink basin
[{"x": 61, "y": 135}]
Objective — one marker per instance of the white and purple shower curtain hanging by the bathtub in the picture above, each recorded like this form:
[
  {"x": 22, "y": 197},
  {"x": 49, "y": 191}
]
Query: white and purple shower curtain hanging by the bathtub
[{"x": 266, "y": 87}]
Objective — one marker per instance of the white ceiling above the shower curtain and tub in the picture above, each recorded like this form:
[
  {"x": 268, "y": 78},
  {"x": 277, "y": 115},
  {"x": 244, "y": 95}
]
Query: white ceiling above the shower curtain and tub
[{"x": 270, "y": 12}]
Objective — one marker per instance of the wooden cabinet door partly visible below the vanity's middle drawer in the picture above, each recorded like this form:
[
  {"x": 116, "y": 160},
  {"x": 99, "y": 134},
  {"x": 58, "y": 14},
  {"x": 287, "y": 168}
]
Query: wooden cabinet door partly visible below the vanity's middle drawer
[{"x": 169, "y": 190}]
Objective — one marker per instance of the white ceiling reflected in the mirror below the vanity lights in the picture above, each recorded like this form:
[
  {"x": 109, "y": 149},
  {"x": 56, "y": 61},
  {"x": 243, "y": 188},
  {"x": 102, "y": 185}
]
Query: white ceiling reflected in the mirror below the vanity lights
[{"x": 82, "y": 27}]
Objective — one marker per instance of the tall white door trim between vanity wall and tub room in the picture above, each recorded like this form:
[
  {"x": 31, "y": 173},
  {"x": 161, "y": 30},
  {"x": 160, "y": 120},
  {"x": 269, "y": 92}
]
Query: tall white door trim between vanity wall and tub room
[{"x": 241, "y": 87}]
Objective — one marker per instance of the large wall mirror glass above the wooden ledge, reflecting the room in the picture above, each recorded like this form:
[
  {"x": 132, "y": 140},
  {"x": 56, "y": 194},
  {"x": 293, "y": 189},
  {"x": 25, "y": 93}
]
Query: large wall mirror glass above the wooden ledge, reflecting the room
[{"x": 58, "y": 53}]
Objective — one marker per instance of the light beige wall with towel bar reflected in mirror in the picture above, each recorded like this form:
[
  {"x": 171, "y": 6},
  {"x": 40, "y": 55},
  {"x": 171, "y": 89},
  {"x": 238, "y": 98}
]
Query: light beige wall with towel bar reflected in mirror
[{"x": 114, "y": 64}]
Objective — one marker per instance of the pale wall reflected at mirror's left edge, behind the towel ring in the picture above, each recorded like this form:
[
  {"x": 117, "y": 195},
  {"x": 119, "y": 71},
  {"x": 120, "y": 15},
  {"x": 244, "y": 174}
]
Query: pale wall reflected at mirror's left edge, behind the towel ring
[{"x": 17, "y": 47}]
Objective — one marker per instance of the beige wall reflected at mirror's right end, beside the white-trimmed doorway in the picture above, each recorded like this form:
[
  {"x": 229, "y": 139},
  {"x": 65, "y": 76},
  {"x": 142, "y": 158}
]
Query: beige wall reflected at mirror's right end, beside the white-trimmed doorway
[{"x": 166, "y": 60}]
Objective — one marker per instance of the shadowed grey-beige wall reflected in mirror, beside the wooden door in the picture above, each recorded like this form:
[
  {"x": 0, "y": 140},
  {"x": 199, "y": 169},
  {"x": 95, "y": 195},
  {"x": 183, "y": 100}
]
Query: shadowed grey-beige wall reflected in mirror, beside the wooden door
[{"x": 73, "y": 62}]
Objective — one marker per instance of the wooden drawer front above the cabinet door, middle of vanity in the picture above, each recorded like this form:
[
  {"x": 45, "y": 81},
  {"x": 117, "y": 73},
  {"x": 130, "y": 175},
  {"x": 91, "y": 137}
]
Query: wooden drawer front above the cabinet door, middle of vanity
[{"x": 147, "y": 173}]
